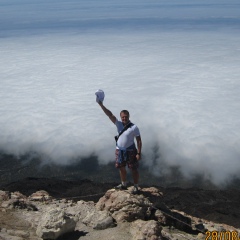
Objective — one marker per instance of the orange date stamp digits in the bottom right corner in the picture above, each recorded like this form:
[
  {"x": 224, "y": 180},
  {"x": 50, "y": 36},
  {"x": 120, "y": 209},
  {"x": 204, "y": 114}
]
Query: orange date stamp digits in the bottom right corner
[{"x": 222, "y": 235}]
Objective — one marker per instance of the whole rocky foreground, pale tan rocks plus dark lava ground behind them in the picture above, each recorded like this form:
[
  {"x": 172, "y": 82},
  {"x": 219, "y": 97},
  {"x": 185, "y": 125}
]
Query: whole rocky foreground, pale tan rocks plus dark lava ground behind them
[{"x": 96, "y": 211}]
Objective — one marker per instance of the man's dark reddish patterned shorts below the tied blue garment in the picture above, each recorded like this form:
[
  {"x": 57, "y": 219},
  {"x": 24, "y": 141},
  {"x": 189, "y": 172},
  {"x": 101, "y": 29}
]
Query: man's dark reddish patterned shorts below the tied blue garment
[{"x": 132, "y": 161}]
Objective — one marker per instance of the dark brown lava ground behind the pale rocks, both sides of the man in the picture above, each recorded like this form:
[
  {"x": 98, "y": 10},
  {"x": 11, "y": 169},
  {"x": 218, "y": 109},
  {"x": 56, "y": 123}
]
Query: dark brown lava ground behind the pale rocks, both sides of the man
[{"x": 217, "y": 205}]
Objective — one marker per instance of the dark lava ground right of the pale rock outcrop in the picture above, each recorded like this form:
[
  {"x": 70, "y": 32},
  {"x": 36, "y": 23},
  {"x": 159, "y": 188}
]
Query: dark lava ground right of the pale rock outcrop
[{"x": 220, "y": 206}]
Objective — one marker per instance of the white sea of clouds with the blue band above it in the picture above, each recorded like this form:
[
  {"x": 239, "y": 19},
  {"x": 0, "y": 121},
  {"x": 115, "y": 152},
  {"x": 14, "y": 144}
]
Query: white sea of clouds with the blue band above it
[{"x": 173, "y": 64}]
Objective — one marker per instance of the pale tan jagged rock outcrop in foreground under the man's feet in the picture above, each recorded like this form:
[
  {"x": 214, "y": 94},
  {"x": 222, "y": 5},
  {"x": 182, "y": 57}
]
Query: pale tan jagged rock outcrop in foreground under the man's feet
[{"x": 117, "y": 215}]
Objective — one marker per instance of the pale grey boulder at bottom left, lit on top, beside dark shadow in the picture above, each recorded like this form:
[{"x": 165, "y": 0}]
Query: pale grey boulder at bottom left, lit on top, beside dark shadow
[{"x": 55, "y": 223}]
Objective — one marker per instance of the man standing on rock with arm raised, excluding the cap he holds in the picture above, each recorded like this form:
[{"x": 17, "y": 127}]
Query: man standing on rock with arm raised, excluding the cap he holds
[{"x": 126, "y": 151}]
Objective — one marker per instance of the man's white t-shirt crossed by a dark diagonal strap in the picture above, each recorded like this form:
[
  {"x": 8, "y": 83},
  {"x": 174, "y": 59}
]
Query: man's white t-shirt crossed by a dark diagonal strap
[{"x": 127, "y": 137}]
